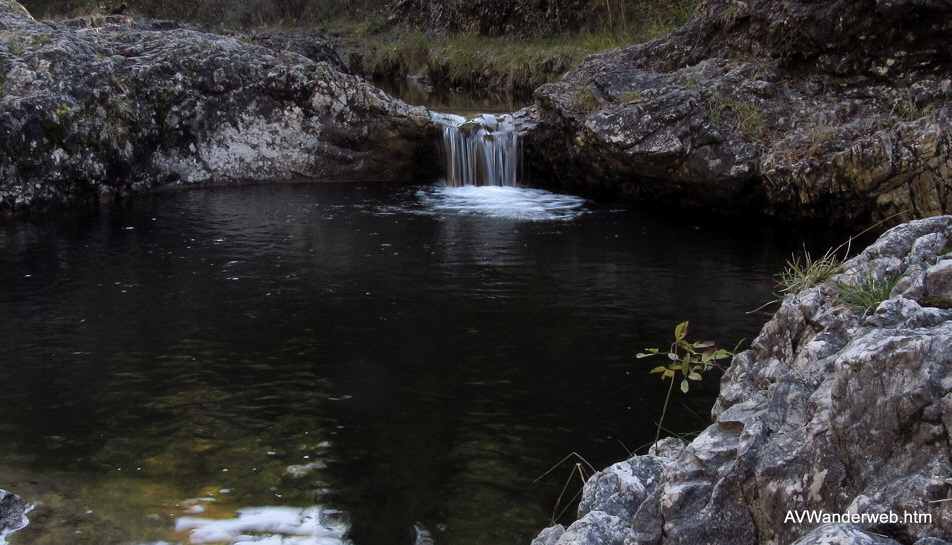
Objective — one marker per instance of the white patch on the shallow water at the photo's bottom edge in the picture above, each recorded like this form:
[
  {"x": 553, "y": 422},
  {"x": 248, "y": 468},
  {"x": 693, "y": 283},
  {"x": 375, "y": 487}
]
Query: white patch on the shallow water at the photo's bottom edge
[{"x": 268, "y": 526}]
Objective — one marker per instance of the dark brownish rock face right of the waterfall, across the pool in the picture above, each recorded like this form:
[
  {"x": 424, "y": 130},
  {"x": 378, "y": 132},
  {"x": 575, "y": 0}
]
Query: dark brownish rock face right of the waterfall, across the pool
[{"x": 831, "y": 110}]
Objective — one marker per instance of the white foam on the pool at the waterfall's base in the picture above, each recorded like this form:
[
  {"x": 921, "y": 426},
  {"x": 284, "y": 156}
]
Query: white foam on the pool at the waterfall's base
[{"x": 513, "y": 203}]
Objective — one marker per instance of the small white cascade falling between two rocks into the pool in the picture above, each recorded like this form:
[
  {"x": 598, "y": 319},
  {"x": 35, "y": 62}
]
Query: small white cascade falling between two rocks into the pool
[{"x": 483, "y": 150}]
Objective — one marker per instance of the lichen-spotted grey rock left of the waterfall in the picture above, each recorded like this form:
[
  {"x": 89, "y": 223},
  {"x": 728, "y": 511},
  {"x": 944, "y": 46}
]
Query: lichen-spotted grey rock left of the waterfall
[{"x": 110, "y": 104}]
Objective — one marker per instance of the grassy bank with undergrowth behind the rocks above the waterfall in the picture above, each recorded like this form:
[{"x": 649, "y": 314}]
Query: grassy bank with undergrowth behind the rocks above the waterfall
[{"x": 543, "y": 46}]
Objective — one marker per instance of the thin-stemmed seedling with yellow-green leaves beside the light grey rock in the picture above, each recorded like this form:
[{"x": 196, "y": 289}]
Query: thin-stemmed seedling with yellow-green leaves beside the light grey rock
[{"x": 689, "y": 359}]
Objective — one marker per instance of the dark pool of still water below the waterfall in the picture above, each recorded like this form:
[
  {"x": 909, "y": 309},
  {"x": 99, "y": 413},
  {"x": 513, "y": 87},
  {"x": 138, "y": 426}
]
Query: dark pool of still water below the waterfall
[{"x": 375, "y": 364}]
